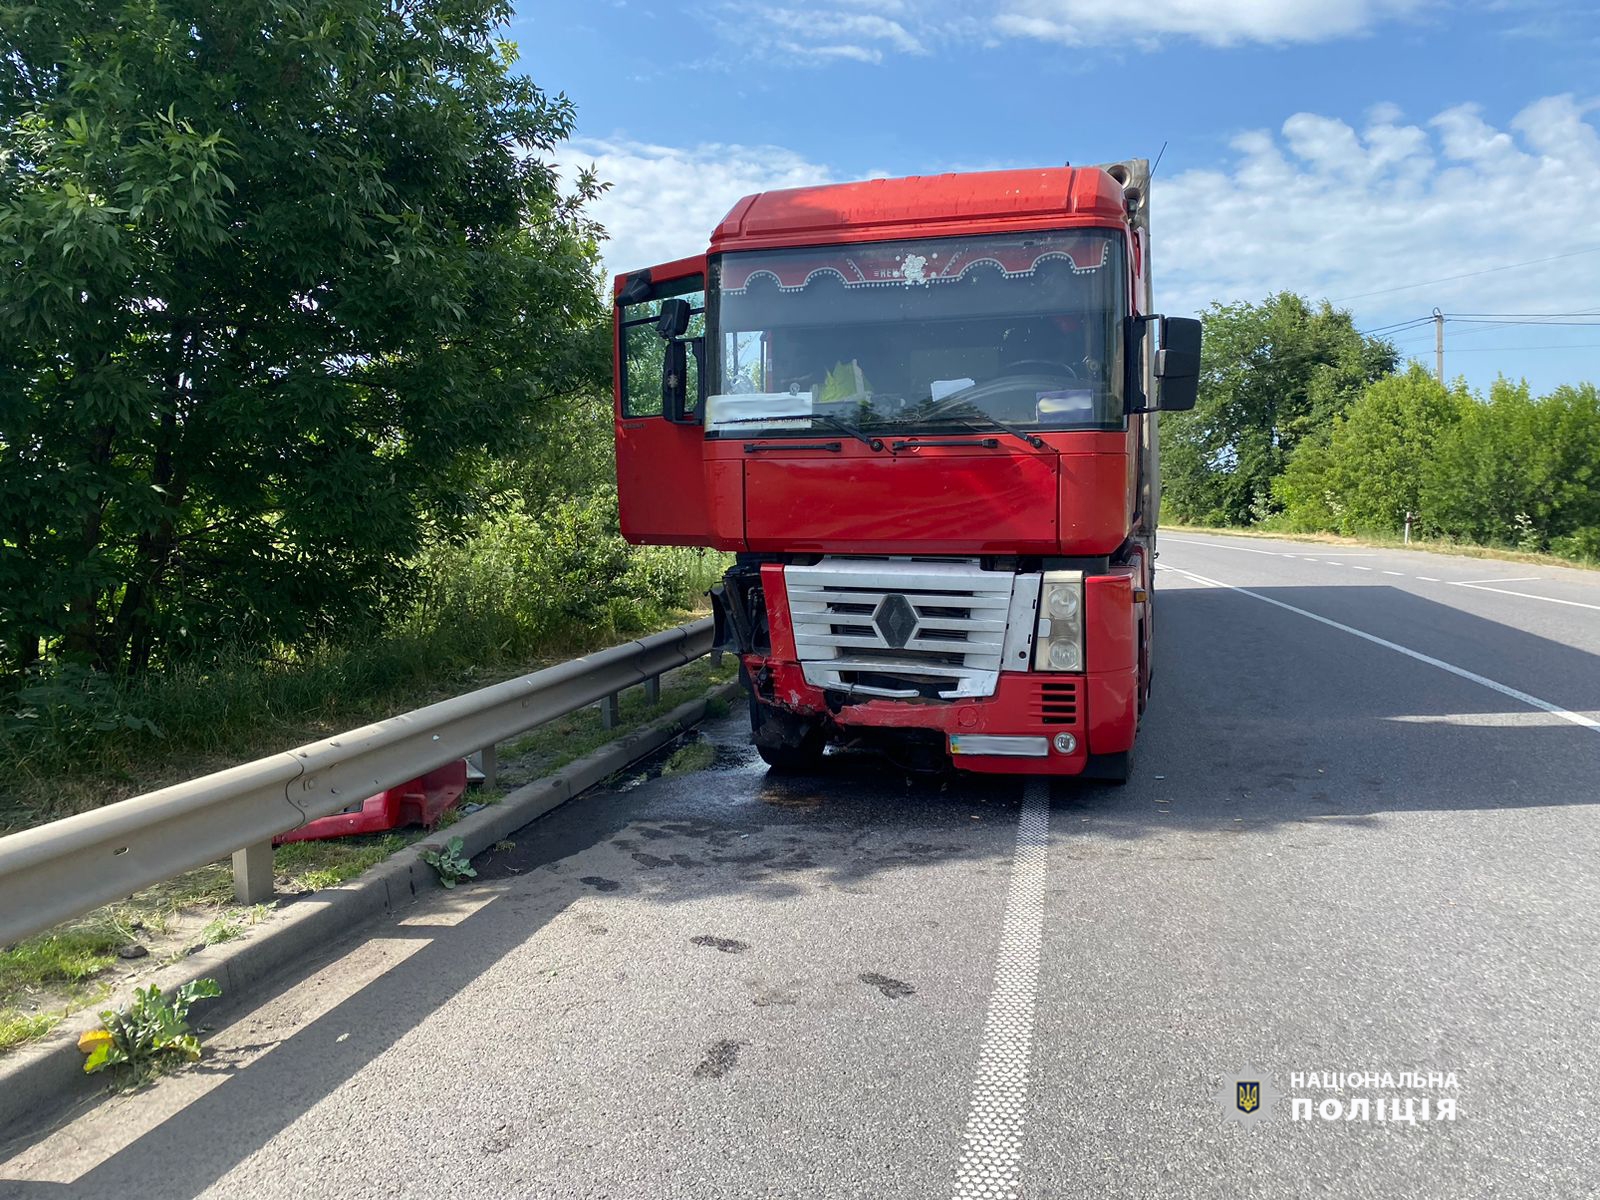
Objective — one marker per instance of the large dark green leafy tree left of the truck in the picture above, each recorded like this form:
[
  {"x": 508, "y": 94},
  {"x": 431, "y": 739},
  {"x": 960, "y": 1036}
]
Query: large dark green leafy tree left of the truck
[{"x": 278, "y": 276}]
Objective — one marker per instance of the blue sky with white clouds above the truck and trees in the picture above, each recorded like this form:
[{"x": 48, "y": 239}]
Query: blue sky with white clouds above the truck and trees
[{"x": 1337, "y": 148}]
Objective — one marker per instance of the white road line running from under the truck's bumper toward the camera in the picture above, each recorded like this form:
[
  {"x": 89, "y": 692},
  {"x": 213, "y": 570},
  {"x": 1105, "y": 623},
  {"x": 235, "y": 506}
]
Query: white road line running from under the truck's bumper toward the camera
[{"x": 998, "y": 1113}]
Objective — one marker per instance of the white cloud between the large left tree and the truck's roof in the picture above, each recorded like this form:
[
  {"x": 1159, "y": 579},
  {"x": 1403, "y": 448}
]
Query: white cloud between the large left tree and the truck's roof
[{"x": 666, "y": 201}]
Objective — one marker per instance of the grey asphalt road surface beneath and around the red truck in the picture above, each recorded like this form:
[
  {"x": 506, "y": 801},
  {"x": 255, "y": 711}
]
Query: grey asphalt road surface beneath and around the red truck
[{"x": 1362, "y": 838}]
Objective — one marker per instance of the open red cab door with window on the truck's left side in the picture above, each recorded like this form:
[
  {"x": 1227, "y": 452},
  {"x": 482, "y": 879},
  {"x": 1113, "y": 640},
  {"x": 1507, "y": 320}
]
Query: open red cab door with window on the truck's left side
[{"x": 660, "y": 473}]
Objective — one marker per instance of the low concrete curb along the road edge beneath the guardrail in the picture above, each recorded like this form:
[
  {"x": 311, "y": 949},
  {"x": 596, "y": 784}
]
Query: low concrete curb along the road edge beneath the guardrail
[{"x": 41, "y": 1081}]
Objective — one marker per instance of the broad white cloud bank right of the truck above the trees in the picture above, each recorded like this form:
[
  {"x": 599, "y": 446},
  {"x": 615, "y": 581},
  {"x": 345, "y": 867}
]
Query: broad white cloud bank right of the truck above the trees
[{"x": 1329, "y": 210}]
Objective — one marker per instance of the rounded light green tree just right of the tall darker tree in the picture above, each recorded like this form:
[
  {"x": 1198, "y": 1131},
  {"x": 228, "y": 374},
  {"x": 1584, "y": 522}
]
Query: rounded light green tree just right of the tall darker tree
[{"x": 1366, "y": 474}]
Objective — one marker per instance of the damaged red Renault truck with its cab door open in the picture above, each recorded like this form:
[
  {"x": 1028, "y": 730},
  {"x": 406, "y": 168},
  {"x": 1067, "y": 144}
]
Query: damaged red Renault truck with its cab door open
[{"x": 922, "y": 414}]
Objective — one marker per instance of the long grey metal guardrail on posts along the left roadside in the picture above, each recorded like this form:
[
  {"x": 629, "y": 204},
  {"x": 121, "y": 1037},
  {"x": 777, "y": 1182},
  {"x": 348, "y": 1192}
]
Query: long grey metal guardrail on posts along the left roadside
[{"x": 68, "y": 868}]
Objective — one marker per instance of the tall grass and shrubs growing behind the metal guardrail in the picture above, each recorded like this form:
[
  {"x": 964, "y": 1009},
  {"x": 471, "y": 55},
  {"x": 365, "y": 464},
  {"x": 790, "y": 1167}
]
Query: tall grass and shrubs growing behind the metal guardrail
[{"x": 524, "y": 590}]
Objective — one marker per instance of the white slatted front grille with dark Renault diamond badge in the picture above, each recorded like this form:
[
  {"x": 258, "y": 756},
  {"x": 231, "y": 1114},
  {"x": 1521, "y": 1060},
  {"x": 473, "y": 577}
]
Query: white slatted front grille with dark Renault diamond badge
[{"x": 900, "y": 628}]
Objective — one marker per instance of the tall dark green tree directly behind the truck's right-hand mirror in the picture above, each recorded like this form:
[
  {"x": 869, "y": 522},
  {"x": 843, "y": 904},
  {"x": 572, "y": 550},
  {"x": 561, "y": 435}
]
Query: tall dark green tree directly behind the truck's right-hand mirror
[{"x": 1271, "y": 375}]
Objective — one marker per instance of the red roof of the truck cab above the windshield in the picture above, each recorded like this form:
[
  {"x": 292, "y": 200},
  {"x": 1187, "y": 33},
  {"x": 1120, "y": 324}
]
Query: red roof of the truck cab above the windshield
[{"x": 929, "y": 206}]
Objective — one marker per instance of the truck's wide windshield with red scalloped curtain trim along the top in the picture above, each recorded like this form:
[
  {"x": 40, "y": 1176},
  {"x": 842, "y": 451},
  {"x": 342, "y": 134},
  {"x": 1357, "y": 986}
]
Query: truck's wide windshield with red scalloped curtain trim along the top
[{"x": 919, "y": 337}]
